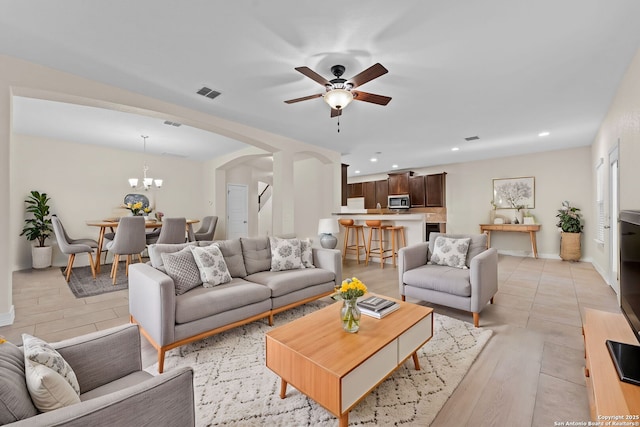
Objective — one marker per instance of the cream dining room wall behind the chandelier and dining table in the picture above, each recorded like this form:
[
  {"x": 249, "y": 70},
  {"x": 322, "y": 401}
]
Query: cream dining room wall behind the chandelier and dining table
[{"x": 87, "y": 182}]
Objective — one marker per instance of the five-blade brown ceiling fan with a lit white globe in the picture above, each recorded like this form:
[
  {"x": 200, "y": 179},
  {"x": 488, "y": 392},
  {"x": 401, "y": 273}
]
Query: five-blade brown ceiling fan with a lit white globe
[{"x": 340, "y": 92}]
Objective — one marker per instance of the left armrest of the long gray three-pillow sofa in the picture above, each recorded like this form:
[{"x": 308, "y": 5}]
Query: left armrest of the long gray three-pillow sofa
[{"x": 152, "y": 302}]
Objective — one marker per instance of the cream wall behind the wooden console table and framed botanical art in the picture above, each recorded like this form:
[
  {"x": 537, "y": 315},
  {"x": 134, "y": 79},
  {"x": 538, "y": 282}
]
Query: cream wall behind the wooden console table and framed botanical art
[{"x": 559, "y": 175}]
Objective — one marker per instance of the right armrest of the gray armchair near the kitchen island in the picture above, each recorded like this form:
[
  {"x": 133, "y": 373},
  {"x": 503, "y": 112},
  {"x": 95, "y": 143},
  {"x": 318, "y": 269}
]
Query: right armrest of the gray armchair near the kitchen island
[{"x": 483, "y": 277}]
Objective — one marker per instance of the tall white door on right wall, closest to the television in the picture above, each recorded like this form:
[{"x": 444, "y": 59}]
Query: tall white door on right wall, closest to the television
[{"x": 614, "y": 209}]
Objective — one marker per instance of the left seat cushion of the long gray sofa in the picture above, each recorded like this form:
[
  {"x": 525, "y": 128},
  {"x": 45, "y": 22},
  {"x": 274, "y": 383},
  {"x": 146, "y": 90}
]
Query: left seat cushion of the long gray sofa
[{"x": 204, "y": 302}]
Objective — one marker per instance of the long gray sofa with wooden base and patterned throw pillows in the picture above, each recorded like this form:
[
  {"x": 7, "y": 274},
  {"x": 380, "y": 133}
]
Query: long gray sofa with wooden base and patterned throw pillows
[{"x": 168, "y": 320}]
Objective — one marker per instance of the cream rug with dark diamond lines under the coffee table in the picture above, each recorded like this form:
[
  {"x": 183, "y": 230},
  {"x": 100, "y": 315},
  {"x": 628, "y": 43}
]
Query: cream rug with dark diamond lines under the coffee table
[{"x": 233, "y": 387}]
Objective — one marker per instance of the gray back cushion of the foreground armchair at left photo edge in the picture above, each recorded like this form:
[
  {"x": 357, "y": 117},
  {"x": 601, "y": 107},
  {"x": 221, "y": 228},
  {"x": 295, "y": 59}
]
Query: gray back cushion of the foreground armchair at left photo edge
[{"x": 15, "y": 401}]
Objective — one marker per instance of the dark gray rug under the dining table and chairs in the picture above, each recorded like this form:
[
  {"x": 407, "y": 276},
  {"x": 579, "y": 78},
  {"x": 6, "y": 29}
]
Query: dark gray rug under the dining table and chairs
[{"x": 83, "y": 285}]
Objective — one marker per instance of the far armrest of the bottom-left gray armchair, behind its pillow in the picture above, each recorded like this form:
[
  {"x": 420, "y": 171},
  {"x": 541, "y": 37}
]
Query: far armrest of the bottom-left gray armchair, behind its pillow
[{"x": 101, "y": 357}]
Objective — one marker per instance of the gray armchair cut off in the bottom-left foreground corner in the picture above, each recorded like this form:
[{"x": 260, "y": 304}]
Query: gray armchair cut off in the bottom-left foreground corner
[{"x": 115, "y": 391}]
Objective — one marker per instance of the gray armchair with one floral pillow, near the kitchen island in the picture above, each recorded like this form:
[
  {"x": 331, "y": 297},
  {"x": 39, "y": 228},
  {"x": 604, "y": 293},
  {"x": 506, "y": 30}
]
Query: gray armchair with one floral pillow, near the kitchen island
[{"x": 467, "y": 289}]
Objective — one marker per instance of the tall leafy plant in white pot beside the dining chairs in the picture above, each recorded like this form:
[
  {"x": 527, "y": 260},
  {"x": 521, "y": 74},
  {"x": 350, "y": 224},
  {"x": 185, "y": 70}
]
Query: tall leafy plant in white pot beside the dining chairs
[{"x": 38, "y": 227}]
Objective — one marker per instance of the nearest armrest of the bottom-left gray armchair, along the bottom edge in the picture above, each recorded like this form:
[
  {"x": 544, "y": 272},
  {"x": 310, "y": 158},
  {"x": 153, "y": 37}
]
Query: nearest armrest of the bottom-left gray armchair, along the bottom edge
[{"x": 166, "y": 399}]
